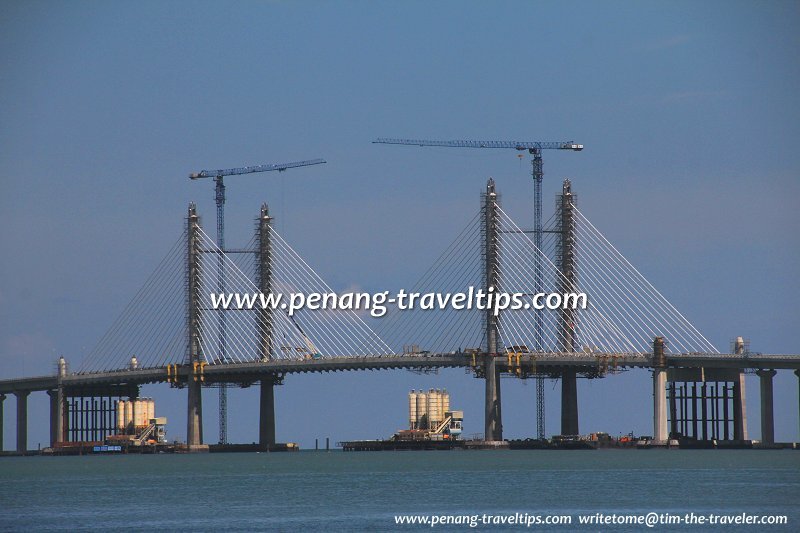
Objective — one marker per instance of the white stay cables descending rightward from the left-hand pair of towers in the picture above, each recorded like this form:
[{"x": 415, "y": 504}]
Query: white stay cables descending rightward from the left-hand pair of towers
[{"x": 304, "y": 335}]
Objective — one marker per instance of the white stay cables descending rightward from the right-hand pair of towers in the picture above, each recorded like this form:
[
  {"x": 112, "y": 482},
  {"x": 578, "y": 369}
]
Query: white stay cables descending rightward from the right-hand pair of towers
[{"x": 624, "y": 312}]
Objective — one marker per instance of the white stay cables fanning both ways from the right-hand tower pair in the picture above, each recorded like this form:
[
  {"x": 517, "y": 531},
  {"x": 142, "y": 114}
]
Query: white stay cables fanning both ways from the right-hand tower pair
[{"x": 624, "y": 311}]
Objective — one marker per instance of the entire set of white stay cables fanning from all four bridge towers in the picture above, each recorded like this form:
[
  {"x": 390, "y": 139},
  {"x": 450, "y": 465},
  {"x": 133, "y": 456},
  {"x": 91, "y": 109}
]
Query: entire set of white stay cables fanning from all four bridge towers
[{"x": 624, "y": 312}]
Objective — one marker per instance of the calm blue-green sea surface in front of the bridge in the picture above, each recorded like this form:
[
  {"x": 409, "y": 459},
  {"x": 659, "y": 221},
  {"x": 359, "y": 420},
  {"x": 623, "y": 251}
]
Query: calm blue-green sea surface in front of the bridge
[{"x": 337, "y": 491}]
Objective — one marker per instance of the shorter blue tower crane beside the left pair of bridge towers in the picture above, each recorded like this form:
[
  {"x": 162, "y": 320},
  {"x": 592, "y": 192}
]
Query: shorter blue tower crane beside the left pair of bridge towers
[{"x": 218, "y": 176}]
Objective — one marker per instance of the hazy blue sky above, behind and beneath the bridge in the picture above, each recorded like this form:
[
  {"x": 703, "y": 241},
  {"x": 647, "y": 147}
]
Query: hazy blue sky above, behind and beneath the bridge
[{"x": 688, "y": 111}]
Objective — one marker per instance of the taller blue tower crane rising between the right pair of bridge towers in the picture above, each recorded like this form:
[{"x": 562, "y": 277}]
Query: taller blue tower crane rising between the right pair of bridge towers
[{"x": 535, "y": 149}]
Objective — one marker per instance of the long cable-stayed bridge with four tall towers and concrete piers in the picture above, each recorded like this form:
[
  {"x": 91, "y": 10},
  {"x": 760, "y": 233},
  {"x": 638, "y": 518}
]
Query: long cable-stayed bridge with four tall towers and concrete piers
[{"x": 169, "y": 332}]
